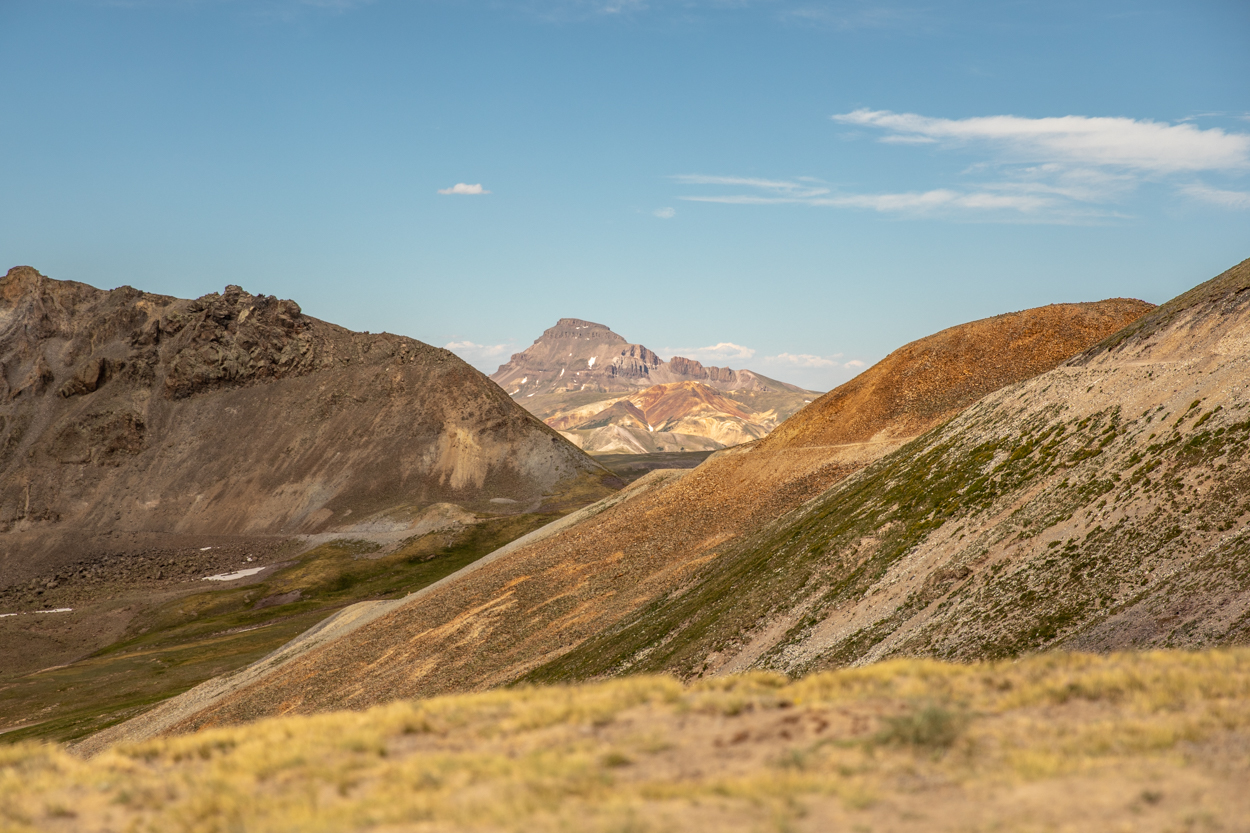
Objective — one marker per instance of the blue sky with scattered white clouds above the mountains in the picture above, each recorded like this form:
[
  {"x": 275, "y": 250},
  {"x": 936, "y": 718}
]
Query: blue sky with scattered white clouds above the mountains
[{"x": 793, "y": 187}]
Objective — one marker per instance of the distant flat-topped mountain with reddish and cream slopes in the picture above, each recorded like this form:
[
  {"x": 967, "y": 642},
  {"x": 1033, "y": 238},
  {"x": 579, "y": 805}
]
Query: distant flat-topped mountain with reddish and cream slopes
[{"x": 578, "y": 377}]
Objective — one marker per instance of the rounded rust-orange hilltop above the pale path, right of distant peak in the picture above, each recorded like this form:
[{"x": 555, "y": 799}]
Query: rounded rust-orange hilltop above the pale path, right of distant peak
[{"x": 928, "y": 382}]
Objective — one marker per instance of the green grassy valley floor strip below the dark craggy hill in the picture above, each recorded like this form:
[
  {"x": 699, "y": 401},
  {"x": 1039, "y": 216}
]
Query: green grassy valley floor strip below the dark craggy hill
[{"x": 186, "y": 642}]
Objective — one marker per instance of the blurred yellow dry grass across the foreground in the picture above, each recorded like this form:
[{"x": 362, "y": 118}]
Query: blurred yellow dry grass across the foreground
[{"x": 1054, "y": 742}]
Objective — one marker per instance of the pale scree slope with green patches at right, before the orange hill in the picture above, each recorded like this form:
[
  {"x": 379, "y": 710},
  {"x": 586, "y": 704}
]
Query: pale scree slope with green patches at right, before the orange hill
[{"x": 1101, "y": 506}]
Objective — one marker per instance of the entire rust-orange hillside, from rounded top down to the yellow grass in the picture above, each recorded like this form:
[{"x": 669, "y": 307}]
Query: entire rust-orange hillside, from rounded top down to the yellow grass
[{"x": 519, "y": 612}]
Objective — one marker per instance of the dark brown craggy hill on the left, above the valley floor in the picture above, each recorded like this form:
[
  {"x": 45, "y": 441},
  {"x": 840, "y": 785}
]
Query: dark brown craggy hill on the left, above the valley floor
[{"x": 236, "y": 415}]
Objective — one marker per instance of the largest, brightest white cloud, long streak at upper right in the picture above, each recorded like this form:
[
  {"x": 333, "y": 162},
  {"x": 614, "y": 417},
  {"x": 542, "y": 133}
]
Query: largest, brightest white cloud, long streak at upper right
[{"x": 1139, "y": 144}]
